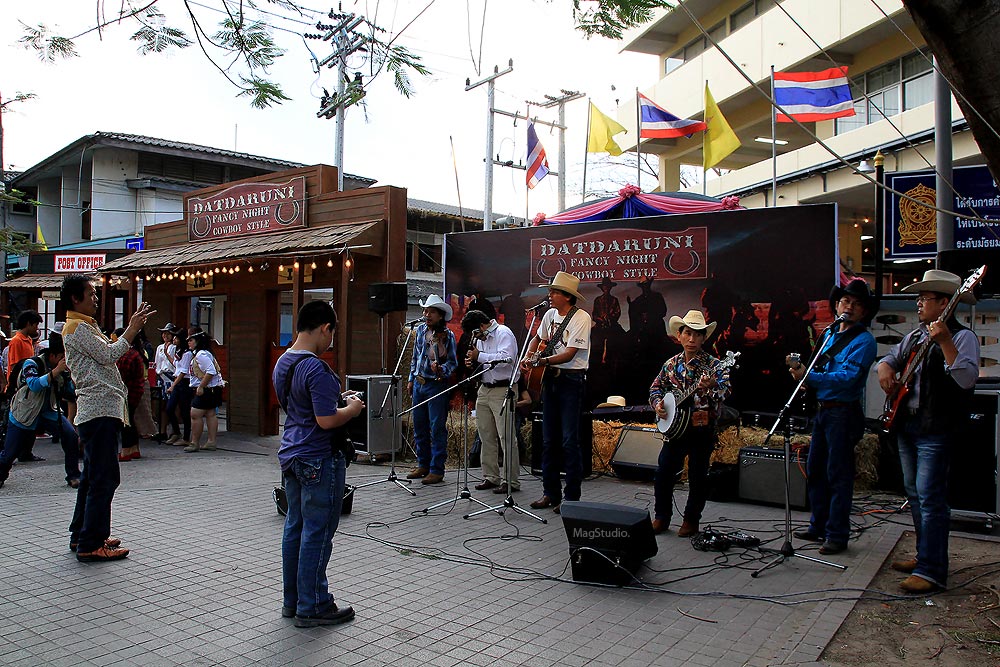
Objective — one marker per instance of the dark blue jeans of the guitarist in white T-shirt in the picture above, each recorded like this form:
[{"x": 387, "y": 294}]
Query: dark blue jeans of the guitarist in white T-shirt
[{"x": 562, "y": 405}]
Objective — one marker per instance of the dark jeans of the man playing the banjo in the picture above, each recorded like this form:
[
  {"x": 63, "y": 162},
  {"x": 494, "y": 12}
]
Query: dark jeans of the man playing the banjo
[{"x": 697, "y": 445}]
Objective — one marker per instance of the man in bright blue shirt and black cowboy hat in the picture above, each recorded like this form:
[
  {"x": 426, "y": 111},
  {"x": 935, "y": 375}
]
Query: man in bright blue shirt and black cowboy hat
[{"x": 838, "y": 378}]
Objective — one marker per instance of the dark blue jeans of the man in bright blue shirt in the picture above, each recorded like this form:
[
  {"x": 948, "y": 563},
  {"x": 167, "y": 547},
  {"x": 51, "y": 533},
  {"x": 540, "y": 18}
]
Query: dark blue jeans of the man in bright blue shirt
[{"x": 830, "y": 469}]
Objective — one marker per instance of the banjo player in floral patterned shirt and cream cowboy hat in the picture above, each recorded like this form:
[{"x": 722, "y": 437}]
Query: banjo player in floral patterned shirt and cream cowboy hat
[{"x": 691, "y": 367}]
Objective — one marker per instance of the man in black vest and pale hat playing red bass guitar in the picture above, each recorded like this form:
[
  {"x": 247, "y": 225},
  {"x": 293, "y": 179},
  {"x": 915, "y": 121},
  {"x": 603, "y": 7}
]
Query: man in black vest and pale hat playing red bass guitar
[{"x": 934, "y": 410}]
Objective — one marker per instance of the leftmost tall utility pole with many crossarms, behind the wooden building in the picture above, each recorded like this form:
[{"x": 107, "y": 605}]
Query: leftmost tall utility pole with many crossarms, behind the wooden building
[{"x": 349, "y": 91}]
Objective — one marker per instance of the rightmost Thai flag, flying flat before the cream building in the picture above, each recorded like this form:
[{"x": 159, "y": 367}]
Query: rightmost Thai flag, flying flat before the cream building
[{"x": 812, "y": 96}]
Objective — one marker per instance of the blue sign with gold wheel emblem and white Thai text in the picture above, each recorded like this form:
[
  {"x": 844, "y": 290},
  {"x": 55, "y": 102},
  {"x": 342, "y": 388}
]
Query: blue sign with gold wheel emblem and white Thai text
[{"x": 911, "y": 228}]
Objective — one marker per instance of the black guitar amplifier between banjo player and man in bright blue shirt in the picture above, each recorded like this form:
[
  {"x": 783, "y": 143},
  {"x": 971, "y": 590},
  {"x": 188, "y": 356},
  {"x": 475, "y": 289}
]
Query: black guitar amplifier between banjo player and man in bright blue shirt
[{"x": 762, "y": 477}]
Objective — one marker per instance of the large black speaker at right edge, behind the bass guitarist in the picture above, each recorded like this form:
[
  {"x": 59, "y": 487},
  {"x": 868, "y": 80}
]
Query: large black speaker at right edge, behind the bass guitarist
[{"x": 972, "y": 485}]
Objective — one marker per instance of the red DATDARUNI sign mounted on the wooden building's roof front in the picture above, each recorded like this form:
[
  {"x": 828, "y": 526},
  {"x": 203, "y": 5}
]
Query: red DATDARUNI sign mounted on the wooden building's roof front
[{"x": 248, "y": 209}]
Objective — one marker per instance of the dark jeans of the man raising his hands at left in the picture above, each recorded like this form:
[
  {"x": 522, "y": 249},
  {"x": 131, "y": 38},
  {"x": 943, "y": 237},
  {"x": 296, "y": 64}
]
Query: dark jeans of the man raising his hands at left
[{"x": 91, "y": 523}]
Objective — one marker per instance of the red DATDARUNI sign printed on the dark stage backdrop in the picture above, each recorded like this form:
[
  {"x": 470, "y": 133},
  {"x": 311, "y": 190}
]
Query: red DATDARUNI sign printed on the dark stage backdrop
[{"x": 623, "y": 254}]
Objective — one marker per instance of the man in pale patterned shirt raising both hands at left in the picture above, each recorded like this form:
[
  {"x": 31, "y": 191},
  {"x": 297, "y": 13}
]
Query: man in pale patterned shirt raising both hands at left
[{"x": 101, "y": 412}]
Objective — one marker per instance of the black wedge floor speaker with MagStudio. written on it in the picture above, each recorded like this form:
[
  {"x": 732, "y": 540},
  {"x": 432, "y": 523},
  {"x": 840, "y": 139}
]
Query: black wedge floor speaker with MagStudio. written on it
[{"x": 607, "y": 543}]
